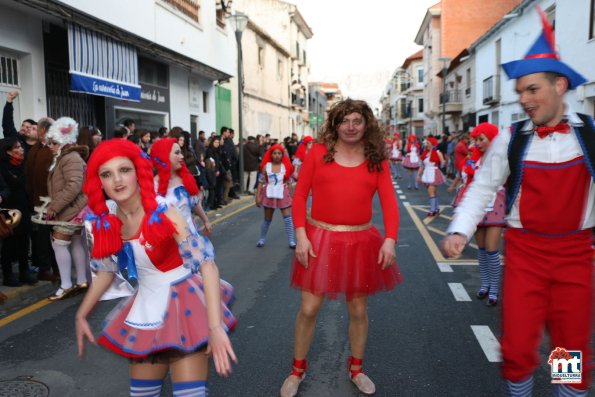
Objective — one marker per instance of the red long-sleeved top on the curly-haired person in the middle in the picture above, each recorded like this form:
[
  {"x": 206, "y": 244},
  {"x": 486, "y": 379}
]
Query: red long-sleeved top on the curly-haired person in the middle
[{"x": 343, "y": 195}]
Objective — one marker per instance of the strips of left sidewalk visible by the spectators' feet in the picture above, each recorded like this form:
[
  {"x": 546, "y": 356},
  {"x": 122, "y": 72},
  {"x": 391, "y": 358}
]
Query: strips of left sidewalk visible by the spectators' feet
[{"x": 28, "y": 294}]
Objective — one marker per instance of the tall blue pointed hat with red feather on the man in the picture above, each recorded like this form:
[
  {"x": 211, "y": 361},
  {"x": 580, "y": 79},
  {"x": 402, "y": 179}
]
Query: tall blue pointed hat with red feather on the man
[{"x": 543, "y": 57}]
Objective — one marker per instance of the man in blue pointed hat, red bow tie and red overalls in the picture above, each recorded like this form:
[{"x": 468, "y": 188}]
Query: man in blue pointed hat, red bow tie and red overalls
[{"x": 548, "y": 165}]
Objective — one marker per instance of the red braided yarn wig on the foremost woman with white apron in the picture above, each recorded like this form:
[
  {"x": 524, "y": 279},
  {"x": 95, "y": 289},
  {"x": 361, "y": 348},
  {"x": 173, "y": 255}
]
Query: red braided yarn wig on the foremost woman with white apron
[{"x": 107, "y": 228}]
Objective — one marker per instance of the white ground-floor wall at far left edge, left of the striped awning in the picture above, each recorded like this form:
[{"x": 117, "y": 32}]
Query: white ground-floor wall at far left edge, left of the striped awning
[{"x": 21, "y": 36}]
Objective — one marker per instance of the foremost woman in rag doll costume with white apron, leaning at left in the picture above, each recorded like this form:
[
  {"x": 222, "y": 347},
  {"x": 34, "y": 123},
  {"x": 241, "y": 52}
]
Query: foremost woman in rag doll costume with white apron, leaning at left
[{"x": 179, "y": 315}]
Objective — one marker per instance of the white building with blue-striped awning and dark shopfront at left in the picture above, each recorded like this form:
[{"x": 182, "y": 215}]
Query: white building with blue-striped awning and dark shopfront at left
[{"x": 176, "y": 52}]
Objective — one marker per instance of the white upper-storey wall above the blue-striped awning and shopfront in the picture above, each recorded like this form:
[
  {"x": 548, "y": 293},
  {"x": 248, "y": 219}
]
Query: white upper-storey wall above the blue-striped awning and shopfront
[{"x": 158, "y": 22}]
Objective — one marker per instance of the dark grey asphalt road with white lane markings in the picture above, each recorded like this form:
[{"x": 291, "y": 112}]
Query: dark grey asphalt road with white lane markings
[{"x": 422, "y": 340}]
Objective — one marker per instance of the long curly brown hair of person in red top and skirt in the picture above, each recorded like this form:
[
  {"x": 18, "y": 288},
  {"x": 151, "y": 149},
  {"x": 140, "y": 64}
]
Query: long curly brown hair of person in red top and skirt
[{"x": 373, "y": 138}]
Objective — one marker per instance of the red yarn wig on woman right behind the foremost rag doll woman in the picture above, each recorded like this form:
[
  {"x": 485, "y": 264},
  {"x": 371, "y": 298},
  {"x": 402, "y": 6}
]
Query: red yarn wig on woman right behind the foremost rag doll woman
[{"x": 160, "y": 154}]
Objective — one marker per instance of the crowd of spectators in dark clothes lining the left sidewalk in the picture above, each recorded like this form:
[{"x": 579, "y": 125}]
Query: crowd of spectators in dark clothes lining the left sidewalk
[{"x": 26, "y": 157}]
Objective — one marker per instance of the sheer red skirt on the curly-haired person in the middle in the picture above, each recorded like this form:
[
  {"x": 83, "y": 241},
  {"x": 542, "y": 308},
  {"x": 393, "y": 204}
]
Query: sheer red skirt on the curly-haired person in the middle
[{"x": 346, "y": 264}]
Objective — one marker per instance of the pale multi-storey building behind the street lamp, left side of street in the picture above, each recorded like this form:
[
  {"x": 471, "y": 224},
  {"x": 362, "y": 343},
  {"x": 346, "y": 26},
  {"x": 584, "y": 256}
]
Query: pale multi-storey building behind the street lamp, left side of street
[{"x": 275, "y": 61}]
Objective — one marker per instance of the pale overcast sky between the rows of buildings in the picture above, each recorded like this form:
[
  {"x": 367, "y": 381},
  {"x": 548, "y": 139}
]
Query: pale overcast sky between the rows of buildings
[{"x": 359, "y": 44}]
